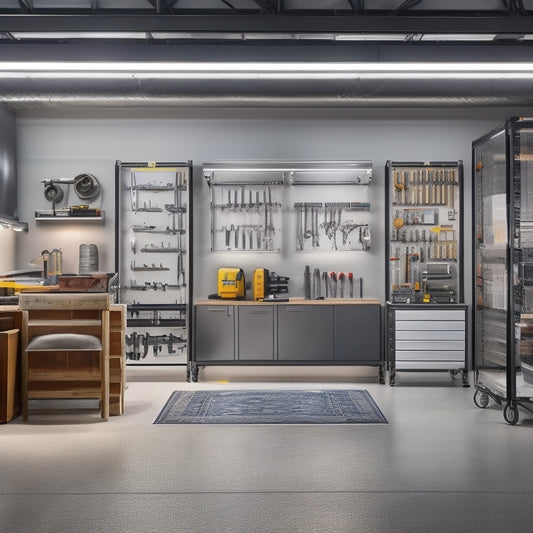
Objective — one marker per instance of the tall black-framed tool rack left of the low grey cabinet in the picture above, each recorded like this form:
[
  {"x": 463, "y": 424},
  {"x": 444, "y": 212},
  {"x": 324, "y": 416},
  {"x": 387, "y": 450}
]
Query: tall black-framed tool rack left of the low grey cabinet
[{"x": 153, "y": 254}]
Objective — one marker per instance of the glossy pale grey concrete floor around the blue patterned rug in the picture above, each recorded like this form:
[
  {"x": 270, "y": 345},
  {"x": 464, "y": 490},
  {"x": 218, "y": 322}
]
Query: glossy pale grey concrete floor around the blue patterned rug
[{"x": 441, "y": 464}]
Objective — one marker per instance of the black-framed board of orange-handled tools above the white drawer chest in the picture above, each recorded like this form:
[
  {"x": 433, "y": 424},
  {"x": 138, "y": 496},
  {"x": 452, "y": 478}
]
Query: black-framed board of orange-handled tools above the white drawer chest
[{"x": 424, "y": 232}]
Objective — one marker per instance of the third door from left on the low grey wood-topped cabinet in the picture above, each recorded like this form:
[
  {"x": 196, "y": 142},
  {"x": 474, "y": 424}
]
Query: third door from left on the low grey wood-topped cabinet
[{"x": 305, "y": 332}]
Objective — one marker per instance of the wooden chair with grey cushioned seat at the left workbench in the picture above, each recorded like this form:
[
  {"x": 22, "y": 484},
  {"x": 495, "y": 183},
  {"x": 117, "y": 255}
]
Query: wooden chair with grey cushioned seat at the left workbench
[{"x": 65, "y": 347}]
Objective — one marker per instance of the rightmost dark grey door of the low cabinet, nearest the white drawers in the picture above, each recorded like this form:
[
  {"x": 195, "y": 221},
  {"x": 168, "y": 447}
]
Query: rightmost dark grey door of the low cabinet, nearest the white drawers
[{"x": 357, "y": 333}]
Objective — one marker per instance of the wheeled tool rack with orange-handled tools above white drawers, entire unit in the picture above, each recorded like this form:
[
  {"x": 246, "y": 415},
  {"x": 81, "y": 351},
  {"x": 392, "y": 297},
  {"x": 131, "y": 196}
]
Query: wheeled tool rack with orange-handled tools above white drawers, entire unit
[{"x": 426, "y": 321}]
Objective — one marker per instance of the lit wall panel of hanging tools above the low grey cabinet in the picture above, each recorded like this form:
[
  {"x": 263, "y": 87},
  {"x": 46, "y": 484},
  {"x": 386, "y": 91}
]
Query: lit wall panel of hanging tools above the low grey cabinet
[{"x": 251, "y": 201}]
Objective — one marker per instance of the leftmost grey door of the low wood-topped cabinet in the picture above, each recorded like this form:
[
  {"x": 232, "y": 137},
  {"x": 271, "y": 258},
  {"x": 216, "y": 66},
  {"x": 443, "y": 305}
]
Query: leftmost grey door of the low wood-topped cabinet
[{"x": 215, "y": 333}]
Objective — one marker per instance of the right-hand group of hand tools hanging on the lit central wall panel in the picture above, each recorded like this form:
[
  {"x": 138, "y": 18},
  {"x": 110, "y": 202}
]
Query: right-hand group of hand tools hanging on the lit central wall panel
[{"x": 314, "y": 219}]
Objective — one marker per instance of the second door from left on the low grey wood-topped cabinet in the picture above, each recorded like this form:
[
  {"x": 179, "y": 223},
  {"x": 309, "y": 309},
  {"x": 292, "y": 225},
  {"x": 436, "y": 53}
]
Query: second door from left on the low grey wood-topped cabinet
[{"x": 256, "y": 332}]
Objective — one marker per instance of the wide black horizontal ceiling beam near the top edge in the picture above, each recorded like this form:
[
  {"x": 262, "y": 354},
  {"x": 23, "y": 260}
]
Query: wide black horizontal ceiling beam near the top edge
[{"x": 276, "y": 24}]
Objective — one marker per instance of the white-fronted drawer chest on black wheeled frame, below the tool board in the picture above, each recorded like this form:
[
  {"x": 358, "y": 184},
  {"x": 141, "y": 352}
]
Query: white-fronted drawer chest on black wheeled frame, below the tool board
[{"x": 427, "y": 338}]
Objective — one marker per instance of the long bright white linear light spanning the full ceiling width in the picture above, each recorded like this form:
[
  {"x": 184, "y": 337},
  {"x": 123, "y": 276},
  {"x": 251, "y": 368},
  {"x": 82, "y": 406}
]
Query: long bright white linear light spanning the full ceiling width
[{"x": 264, "y": 70}]
